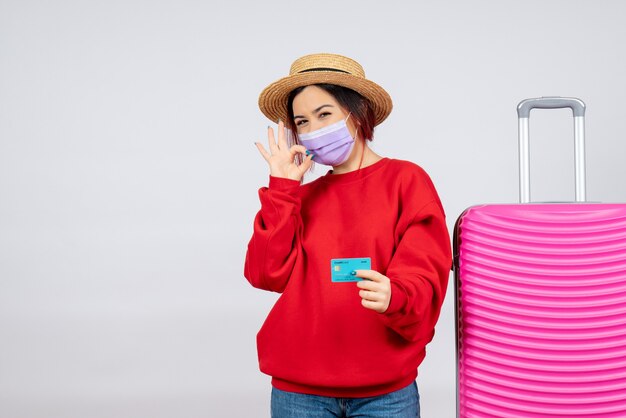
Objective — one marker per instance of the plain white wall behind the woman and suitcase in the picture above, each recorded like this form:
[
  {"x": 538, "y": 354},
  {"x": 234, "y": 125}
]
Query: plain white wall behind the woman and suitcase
[{"x": 128, "y": 174}]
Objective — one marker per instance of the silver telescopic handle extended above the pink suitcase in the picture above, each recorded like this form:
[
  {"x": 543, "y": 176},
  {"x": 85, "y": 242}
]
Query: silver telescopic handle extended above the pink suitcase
[{"x": 523, "y": 113}]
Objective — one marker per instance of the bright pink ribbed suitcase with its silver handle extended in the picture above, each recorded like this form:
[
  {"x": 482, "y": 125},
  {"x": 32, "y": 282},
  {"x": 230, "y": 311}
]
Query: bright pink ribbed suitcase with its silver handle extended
[{"x": 541, "y": 300}]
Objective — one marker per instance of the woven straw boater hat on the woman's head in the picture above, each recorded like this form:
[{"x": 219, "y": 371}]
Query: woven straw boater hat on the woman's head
[{"x": 323, "y": 68}]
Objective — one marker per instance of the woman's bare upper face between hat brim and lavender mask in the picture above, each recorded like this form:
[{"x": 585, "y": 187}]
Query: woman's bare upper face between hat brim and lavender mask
[{"x": 314, "y": 108}]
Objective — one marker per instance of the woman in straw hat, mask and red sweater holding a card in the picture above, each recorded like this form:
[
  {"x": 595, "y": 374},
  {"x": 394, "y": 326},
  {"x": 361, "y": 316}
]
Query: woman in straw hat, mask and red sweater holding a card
[{"x": 334, "y": 344}]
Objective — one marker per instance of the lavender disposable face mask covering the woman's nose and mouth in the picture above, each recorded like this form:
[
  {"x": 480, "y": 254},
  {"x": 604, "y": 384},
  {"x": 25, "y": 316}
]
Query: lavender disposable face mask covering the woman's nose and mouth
[{"x": 331, "y": 145}]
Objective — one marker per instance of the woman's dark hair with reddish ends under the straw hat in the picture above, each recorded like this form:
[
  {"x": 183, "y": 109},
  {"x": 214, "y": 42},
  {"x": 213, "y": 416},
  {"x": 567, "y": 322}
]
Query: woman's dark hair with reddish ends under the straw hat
[{"x": 359, "y": 107}]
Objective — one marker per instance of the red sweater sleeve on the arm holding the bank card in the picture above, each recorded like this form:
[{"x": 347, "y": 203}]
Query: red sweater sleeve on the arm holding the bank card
[{"x": 419, "y": 272}]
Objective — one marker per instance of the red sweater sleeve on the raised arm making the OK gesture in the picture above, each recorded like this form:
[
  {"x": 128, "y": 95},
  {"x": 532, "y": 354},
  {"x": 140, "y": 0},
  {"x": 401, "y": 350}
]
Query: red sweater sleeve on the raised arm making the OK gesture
[{"x": 272, "y": 250}]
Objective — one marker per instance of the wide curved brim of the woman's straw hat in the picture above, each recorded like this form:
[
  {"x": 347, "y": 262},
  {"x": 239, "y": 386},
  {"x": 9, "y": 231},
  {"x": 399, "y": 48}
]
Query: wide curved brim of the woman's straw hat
[{"x": 273, "y": 99}]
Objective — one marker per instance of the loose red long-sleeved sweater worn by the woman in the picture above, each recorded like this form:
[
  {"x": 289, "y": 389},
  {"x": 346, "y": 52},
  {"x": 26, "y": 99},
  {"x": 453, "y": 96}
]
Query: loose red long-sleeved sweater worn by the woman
[{"x": 318, "y": 338}]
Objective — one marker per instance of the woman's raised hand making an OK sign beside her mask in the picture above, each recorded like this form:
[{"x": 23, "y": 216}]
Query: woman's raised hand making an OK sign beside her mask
[{"x": 282, "y": 158}]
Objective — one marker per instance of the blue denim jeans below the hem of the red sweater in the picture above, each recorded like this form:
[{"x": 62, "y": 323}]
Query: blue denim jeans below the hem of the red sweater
[{"x": 403, "y": 403}]
